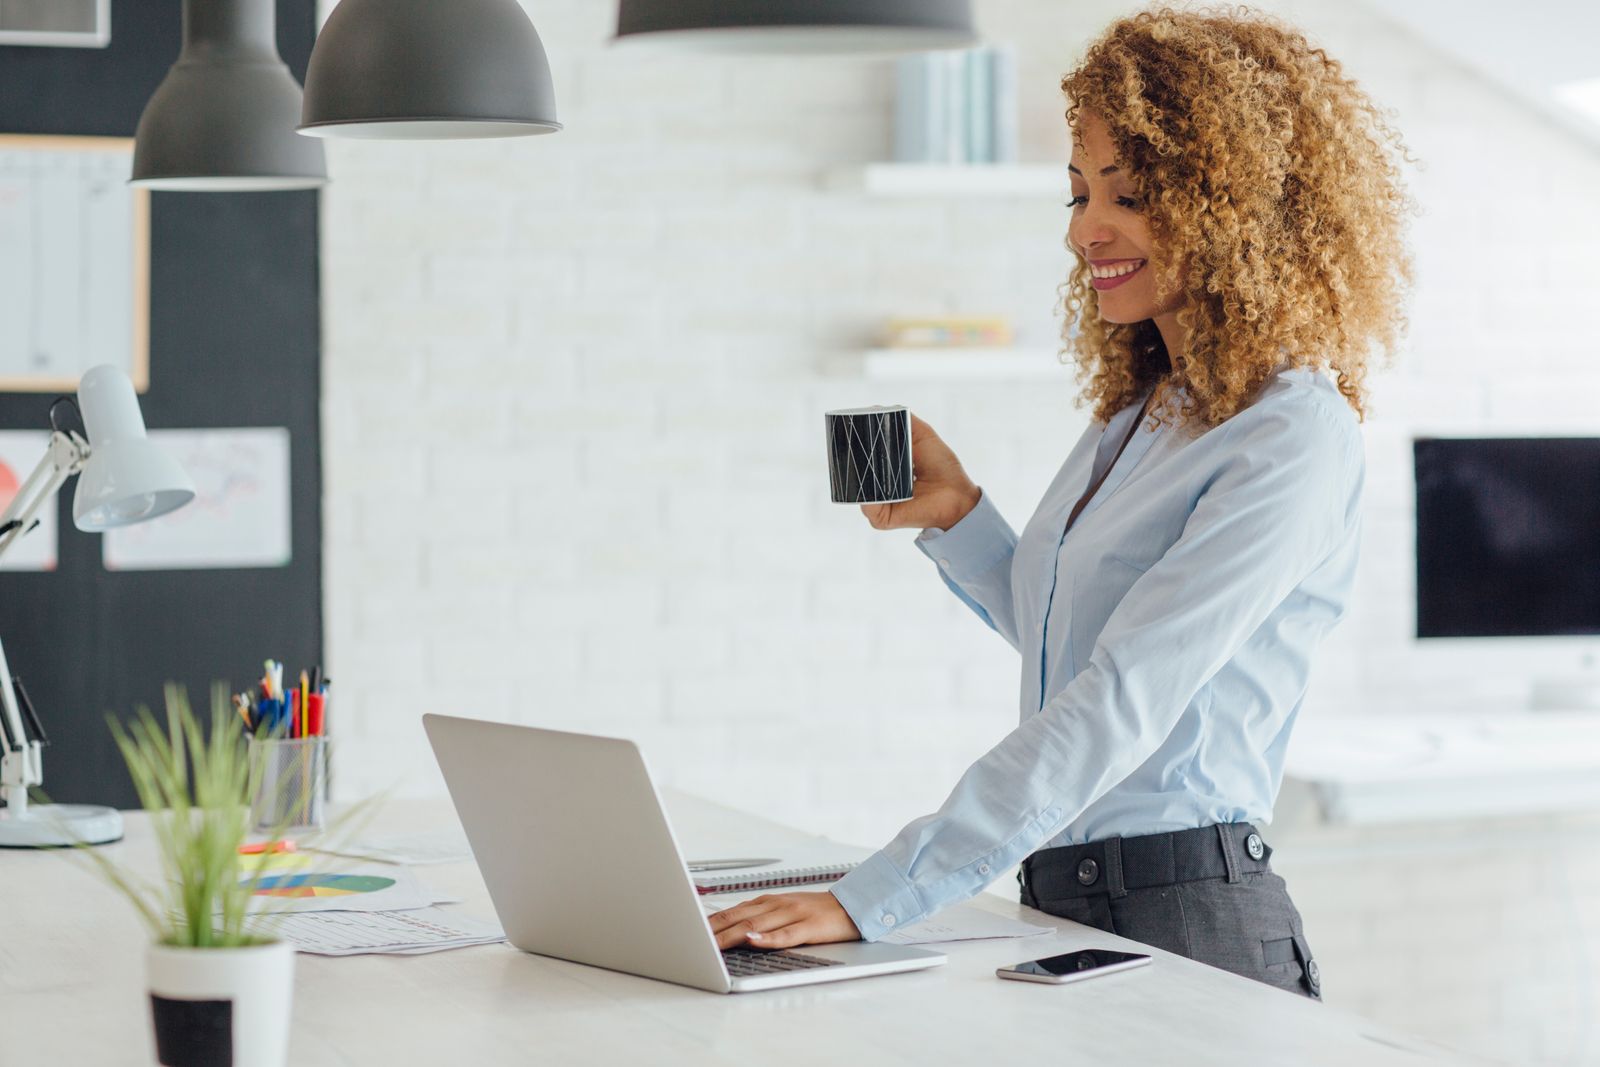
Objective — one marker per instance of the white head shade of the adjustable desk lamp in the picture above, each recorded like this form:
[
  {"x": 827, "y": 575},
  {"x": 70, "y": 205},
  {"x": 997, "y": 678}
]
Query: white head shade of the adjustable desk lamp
[{"x": 127, "y": 478}]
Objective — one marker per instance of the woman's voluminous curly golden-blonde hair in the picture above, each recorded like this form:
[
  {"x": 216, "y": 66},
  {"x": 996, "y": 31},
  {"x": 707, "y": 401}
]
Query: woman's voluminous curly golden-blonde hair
[{"x": 1271, "y": 182}]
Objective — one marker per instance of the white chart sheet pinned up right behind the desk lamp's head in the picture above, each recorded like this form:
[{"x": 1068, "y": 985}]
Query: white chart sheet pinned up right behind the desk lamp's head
[{"x": 241, "y": 514}]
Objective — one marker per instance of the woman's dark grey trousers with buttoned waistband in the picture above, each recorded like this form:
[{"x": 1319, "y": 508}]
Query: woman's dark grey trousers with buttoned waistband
[{"x": 1209, "y": 895}]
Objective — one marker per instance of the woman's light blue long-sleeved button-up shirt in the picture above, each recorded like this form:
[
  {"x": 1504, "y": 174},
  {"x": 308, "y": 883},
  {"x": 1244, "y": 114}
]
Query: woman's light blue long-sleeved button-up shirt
[{"x": 1166, "y": 641}]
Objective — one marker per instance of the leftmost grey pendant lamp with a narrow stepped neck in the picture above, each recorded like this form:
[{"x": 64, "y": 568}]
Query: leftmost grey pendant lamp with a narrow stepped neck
[{"x": 223, "y": 119}]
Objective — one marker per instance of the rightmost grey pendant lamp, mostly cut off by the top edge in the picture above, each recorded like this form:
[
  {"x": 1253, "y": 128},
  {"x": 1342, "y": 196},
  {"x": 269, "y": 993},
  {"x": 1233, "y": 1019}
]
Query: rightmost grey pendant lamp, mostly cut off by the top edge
[{"x": 796, "y": 26}]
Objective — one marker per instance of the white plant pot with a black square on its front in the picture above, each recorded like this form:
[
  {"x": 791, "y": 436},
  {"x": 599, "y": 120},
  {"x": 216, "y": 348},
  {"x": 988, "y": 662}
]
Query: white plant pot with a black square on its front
[{"x": 222, "y": 1007}]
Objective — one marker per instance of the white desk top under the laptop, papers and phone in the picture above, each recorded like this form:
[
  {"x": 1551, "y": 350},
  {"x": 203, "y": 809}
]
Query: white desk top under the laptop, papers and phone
[{"x": 73, "y": 993}]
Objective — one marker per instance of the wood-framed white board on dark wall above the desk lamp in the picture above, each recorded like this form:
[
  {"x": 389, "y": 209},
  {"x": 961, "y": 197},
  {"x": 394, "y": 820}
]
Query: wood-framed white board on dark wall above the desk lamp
[{"x": 74, "y": 263}]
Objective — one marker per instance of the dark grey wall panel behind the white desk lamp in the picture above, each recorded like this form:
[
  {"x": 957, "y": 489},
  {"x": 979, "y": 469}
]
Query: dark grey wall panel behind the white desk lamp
[{"x": 234, "y": 342}]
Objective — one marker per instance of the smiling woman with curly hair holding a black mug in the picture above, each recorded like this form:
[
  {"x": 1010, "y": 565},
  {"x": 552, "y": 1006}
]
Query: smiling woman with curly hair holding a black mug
[{"x": 1238, "y": 217}]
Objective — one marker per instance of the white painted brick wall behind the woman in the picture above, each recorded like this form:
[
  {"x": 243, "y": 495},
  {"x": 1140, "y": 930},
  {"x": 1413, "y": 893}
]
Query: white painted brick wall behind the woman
[{"x": 575, "y": 465}]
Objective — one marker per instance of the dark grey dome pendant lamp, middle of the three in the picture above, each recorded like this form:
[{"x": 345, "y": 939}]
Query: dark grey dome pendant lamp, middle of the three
[{"x": 428, "y": 70}]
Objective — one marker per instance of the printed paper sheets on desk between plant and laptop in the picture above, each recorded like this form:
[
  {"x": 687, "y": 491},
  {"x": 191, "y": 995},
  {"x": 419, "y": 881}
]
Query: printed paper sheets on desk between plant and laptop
[{"x": 390, "y": 933}]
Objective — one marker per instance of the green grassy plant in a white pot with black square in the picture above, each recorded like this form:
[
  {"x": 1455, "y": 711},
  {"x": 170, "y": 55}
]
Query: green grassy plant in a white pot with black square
[{"x": 220, "y": 985}]
